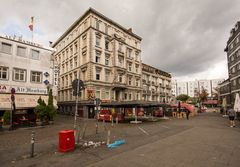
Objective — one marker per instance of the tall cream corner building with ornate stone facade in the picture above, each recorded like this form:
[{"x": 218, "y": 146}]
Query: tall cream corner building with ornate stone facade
[{"x": 105, "y": 56}]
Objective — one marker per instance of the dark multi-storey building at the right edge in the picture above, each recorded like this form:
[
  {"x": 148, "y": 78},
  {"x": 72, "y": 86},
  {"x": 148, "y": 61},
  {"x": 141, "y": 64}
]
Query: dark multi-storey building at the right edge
[{"x": 233, "y": 57}]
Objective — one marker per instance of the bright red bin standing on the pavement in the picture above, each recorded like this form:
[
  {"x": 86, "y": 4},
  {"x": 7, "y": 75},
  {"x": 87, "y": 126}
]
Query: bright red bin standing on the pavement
[{"x": 66, "y": 141}]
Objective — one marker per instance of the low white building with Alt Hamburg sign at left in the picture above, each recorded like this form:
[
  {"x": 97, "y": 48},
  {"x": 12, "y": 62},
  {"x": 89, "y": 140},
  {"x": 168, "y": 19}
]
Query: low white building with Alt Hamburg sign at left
[{"x": 28, "y": 68}]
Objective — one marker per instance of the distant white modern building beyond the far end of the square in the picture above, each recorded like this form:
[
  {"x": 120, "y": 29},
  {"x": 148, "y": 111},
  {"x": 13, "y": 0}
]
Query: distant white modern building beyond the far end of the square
[{"x": 192, "y": 88}]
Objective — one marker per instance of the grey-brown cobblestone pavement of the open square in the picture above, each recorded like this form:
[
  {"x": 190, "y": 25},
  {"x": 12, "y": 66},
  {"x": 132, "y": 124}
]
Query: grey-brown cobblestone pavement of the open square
[{"x": 205, "y": 140}]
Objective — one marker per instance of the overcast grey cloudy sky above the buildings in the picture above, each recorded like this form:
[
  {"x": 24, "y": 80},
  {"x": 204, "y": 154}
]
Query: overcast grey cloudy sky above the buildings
[{"x": 183, "y": 37}]
